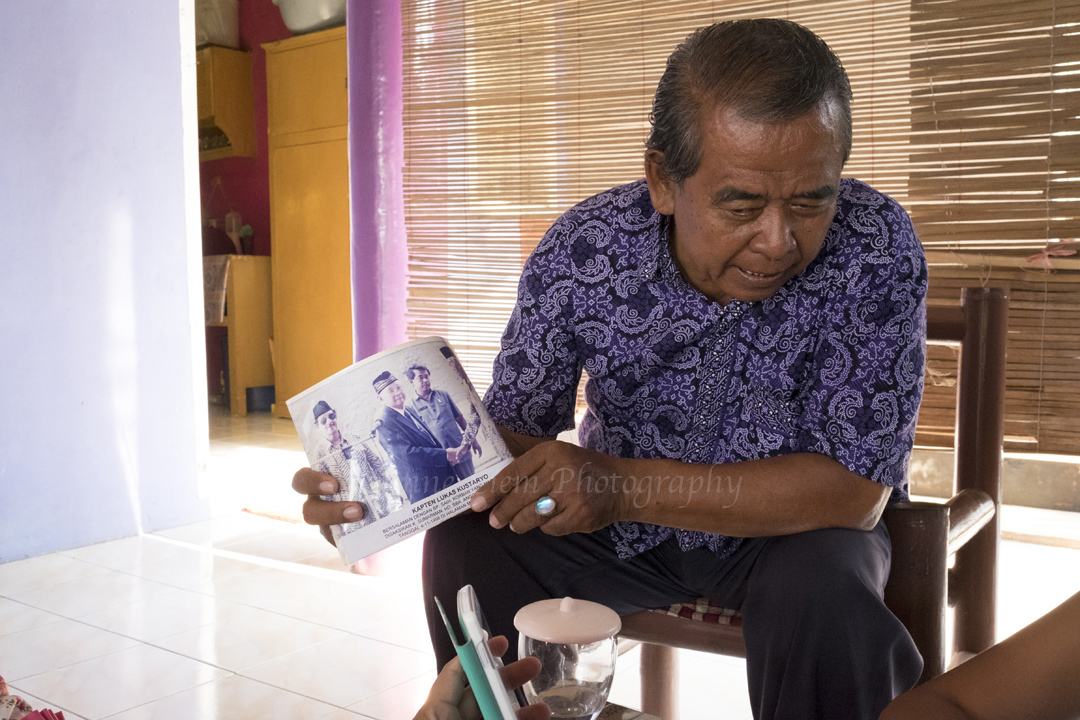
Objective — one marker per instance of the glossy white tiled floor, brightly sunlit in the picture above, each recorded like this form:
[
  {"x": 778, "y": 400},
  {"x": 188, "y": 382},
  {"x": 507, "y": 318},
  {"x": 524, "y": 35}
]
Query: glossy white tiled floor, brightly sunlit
[{"x": 244, "y": 617}]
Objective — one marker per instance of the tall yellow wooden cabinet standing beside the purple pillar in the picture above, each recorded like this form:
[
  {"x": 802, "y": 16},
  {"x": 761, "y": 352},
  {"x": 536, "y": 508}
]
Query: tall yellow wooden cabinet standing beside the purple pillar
[{"x": 309, "y": 211}]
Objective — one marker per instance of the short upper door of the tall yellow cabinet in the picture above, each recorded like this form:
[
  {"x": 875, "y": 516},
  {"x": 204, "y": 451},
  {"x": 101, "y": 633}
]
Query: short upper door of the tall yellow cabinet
[{"x": 307, "y": 87}]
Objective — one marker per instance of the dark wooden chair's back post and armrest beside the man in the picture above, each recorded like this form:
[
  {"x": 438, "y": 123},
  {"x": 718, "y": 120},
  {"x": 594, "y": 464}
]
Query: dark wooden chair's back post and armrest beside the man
[{"x": 968, "y": 525}]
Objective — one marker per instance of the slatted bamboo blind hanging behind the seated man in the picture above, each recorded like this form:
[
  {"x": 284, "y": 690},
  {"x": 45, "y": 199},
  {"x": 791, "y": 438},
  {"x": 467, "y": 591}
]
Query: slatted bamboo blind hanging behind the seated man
[{"x": 965, "y": 112}]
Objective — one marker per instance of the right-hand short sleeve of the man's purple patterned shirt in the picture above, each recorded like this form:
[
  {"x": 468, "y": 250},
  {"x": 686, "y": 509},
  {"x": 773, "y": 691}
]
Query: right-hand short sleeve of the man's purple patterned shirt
[{"x": 862, "y": 401}]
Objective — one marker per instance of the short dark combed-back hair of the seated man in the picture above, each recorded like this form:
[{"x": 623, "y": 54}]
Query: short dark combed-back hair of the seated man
[{"x": 767, "y": 71}]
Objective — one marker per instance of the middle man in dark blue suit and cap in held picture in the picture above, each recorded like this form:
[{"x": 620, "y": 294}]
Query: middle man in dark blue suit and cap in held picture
[{"x": 424, "y": 466}]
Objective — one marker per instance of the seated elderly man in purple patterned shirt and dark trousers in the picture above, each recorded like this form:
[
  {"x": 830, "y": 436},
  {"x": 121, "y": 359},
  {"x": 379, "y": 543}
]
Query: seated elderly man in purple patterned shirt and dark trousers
[{"x": 753, "y": 330}]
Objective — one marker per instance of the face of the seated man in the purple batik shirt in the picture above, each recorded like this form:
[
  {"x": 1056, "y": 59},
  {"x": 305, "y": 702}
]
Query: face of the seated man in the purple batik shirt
[{"x": 757, "y": 212}]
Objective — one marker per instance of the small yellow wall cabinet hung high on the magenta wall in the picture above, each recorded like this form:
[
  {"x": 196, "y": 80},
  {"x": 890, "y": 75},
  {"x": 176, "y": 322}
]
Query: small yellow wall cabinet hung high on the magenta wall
[{"x": 226, "y": 120}]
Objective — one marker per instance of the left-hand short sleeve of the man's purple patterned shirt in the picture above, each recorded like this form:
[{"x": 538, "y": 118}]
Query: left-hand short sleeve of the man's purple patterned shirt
[{"x": 536, "y": 374}]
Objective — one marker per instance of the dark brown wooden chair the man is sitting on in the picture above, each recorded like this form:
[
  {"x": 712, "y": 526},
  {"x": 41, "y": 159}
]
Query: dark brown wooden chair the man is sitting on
[{"x": 925, "y": 536}]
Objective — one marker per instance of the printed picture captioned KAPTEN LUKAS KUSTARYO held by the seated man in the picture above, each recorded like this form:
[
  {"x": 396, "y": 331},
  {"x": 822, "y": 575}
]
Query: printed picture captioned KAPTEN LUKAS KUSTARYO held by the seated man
[{"x": 408, "y": 438}]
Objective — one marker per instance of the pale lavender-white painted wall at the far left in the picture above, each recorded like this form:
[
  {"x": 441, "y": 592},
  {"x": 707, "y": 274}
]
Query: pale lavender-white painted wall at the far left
[{"x": 102, "y": 419}]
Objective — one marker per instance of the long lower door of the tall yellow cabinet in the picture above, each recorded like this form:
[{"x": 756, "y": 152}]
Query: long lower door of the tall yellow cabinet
[{"x": 313, "y": 306}]
